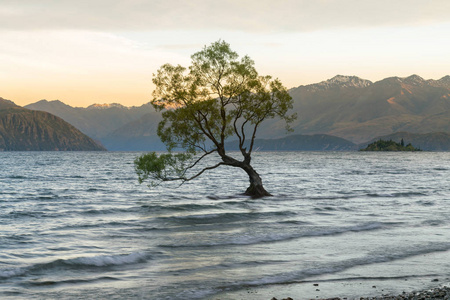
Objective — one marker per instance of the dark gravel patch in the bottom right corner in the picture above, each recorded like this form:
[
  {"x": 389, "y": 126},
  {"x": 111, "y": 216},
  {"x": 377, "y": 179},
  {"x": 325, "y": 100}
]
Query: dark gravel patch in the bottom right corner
[{"x": 441, "y": 293}]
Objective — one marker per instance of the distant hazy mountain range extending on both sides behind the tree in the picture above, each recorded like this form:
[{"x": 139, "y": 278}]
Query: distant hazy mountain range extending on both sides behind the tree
[{"x": 348, "y": 107}]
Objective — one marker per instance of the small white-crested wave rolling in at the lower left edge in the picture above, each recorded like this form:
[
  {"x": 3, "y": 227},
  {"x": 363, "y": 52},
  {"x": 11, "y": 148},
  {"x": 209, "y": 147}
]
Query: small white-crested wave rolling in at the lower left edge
[{"x": 78, "y": 263}]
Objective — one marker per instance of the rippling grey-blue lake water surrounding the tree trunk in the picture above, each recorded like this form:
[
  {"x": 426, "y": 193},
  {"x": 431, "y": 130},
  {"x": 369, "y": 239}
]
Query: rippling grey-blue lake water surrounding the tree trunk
[{"x": 77, "y": 225}]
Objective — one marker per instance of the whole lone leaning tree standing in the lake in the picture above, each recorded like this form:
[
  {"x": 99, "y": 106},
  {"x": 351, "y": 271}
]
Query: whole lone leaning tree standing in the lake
[{"x": 218, "y": 97}]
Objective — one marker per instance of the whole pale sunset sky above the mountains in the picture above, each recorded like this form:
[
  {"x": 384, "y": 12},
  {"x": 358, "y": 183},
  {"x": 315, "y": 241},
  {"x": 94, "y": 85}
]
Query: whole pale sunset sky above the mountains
[{"x": 106, "y": 51}]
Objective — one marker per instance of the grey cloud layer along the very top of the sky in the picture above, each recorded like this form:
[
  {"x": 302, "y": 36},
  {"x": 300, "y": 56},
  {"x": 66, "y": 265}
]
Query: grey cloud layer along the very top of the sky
[{"x": 251, "y": 15}]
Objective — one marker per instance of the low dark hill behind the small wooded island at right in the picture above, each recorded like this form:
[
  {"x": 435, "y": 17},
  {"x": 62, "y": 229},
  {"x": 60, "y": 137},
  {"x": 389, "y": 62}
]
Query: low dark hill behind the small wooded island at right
[{"x": 436, "y": 141}]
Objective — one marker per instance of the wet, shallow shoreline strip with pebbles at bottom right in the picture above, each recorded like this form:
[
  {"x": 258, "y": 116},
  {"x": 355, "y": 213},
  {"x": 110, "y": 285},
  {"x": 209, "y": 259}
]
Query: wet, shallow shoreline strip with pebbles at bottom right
[{"x": 437, "y": 289}]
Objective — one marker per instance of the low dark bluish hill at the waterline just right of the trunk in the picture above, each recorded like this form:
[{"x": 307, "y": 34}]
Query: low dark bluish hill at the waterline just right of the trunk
[{"x": 316, "y": 142}]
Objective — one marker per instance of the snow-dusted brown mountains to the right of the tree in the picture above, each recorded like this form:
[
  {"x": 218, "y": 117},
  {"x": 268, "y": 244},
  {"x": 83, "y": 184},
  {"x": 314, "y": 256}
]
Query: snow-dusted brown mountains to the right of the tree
[{"x": 359, "y": 110}]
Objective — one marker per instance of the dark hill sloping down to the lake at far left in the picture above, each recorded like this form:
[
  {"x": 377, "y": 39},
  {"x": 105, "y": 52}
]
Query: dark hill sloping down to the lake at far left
[{"x": 27, "y": 130}]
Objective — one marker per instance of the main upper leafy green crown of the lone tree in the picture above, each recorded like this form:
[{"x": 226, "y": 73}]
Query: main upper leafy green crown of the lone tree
[{"x": 218, "y": 96}]
